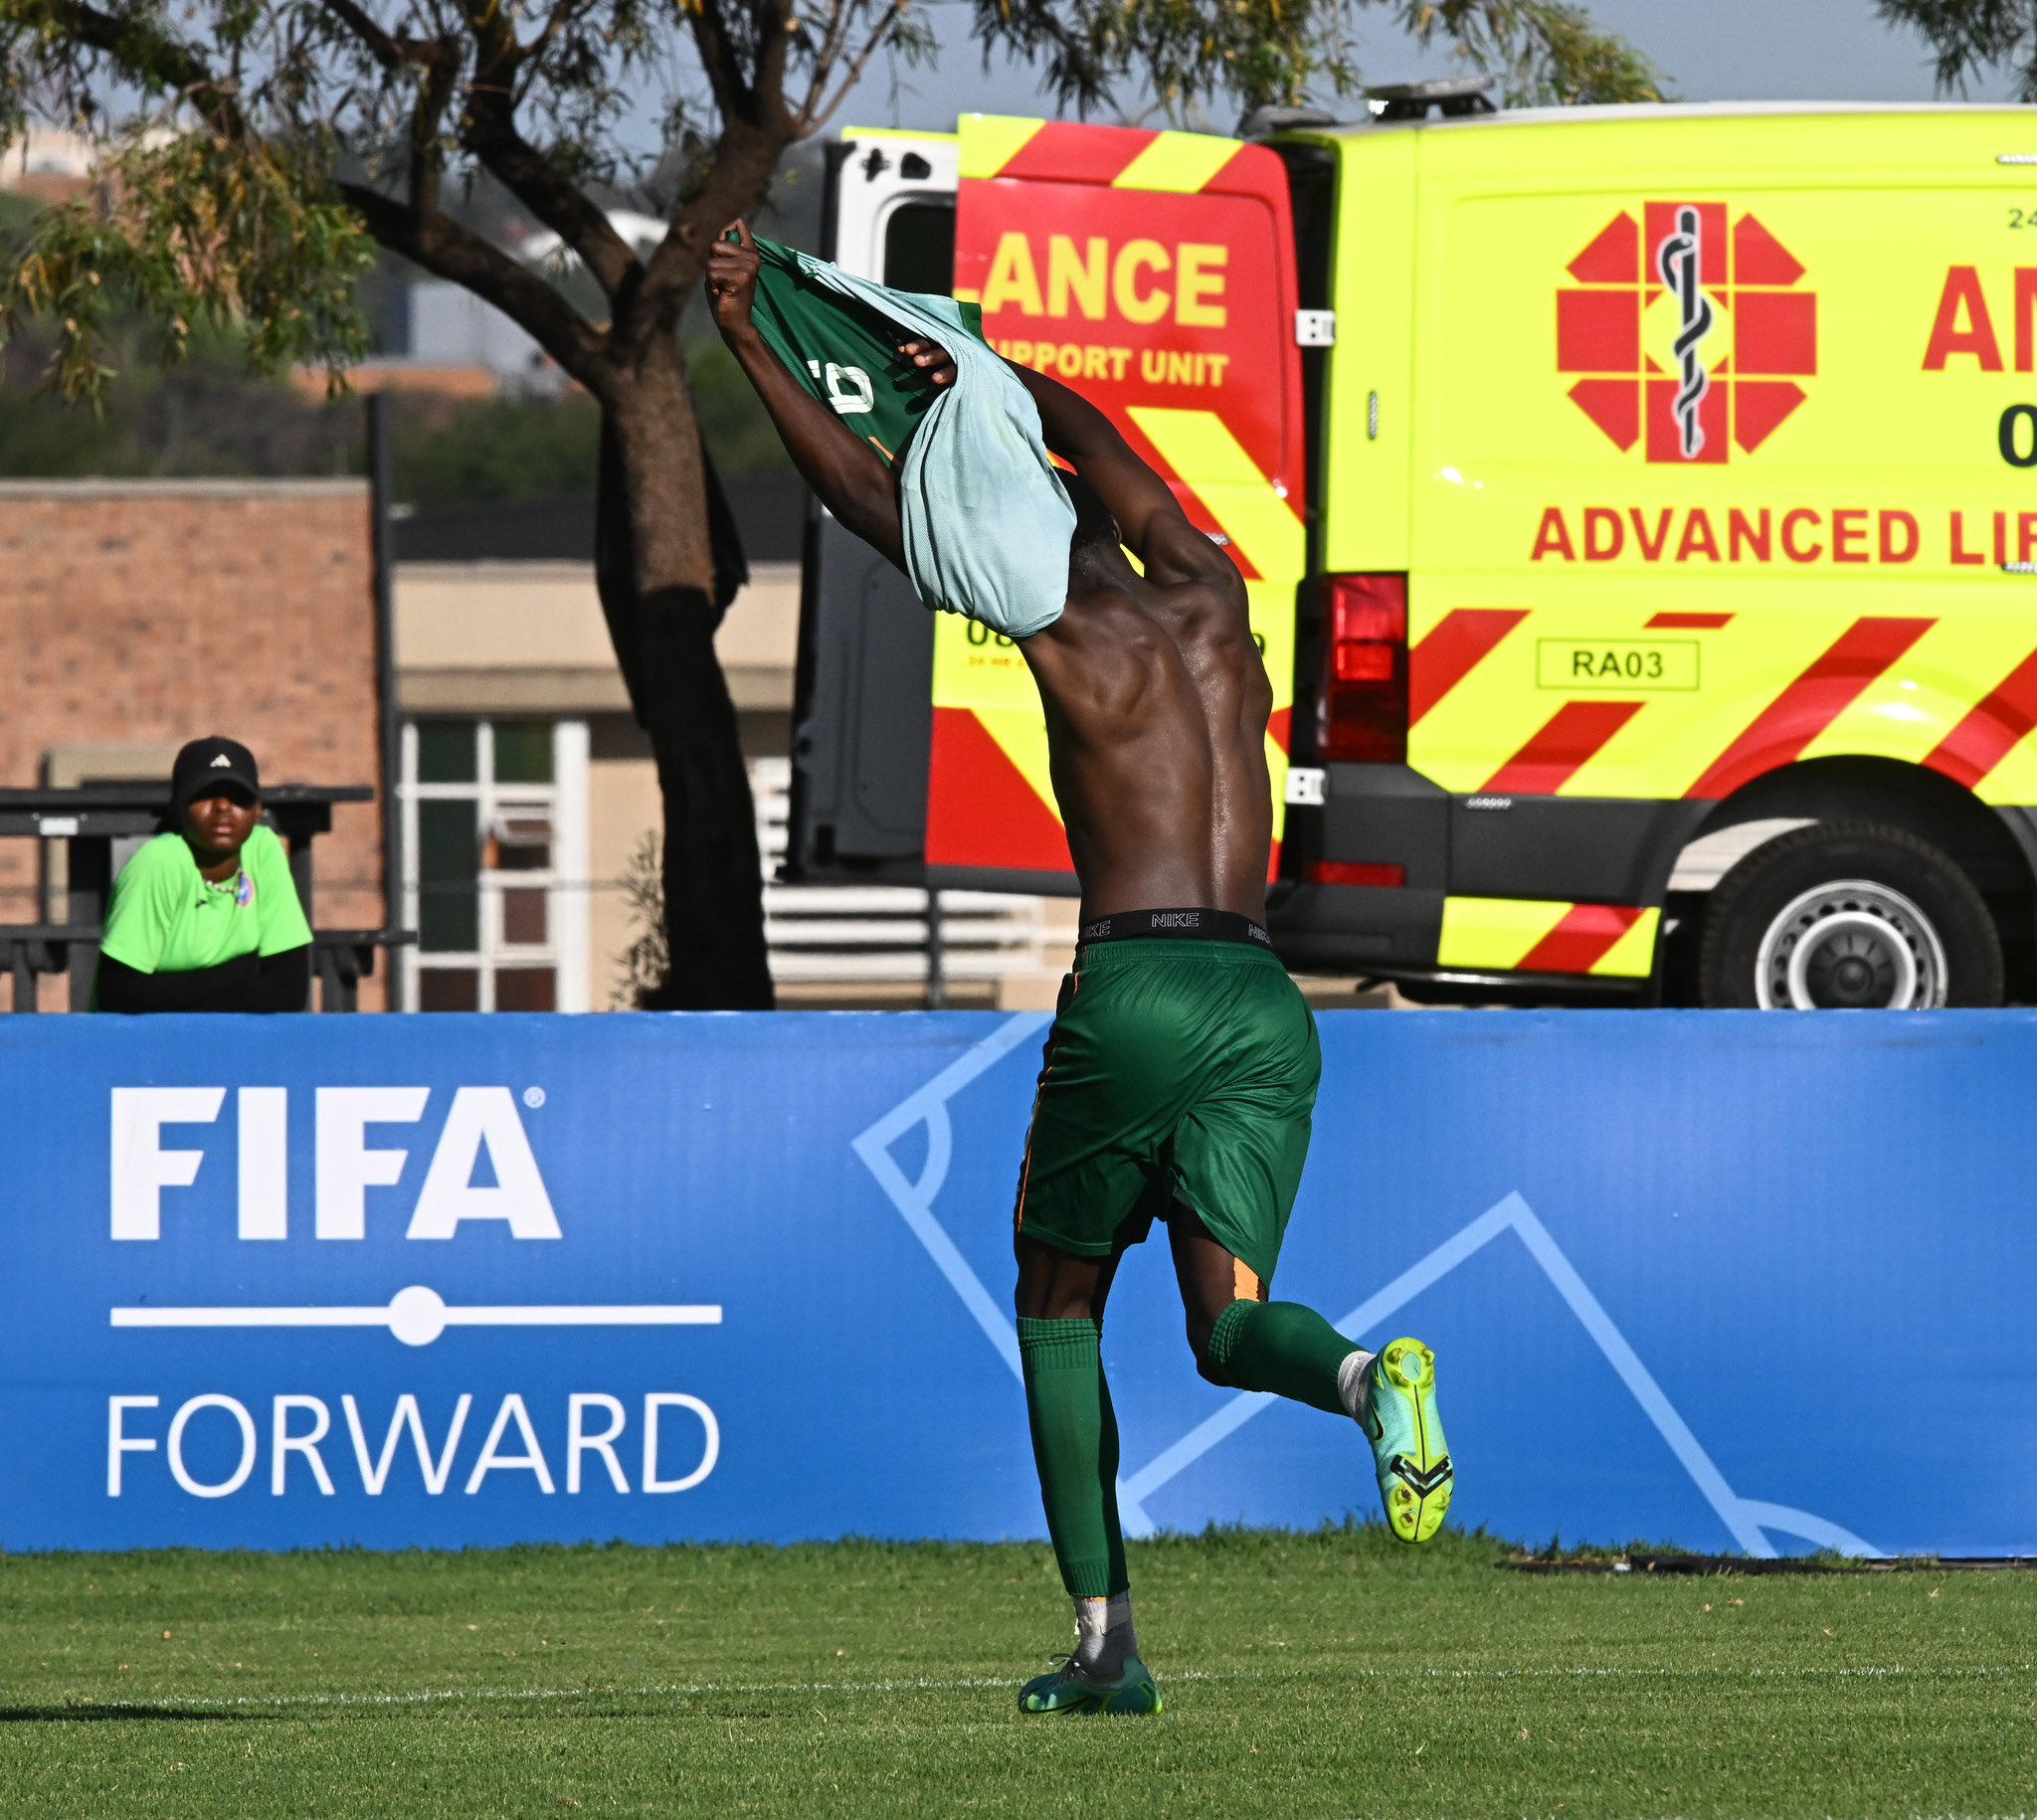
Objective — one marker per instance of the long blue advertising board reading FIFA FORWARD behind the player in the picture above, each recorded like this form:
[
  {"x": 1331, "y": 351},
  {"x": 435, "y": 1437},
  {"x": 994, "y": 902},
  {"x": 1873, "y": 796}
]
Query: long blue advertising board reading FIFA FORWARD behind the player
[{"x": 1722, "y": 1282}]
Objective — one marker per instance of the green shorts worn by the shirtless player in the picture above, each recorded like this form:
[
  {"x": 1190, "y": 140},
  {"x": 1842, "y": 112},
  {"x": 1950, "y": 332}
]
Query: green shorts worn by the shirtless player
[{"x": 1176, "y": 1072}]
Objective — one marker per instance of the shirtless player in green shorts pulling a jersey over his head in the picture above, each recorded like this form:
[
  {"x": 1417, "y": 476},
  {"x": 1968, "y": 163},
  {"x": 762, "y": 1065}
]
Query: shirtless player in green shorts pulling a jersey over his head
[{"x": 1180, "y": 1074}]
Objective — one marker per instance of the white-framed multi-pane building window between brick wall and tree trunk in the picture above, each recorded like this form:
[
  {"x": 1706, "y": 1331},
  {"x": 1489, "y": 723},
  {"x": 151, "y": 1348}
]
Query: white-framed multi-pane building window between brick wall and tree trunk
[{"x": 496, "y": 866}]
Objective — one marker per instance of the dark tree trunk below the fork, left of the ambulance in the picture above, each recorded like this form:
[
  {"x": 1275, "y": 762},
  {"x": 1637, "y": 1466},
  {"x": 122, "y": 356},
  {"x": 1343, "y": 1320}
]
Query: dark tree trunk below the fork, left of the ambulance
[{"x": 665, "y": 638}]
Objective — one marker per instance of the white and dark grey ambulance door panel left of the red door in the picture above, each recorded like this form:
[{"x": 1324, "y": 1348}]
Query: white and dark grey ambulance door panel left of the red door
[{"x": 863, "y": 691}]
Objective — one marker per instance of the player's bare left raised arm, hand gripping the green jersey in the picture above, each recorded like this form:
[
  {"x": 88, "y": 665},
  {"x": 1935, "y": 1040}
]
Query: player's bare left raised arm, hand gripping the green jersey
[{"x": 844, "y": 471}]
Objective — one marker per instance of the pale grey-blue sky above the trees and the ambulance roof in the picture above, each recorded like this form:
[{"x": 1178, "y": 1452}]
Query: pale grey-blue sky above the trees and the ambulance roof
[{"x": 1710, "y": 52}]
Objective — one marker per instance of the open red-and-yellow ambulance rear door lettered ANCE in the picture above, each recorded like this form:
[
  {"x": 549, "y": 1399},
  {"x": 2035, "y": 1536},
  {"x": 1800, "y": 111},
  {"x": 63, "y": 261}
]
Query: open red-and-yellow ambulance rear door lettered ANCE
[{"x": 1154, "y": 274}]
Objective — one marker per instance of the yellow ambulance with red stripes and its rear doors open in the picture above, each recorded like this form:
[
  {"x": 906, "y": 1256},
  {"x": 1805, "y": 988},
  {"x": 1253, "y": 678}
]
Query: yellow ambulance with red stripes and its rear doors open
[{"x": 1637, "y": 512}]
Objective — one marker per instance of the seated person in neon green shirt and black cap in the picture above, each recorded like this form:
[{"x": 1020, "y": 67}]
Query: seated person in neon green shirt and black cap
[{"x": 207, "y": 915}]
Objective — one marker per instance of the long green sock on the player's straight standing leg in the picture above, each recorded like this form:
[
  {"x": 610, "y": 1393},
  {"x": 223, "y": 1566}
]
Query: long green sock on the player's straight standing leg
[{"x": 1077, "y": 1451}]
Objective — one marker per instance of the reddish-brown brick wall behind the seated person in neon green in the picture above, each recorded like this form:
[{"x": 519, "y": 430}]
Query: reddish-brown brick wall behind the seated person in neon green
[{"x": 158, "y": 612}]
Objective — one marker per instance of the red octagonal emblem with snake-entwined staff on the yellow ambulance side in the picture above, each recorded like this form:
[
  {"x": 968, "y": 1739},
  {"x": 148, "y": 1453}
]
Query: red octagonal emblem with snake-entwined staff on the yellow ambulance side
[{"x": 1688, "y": 333}]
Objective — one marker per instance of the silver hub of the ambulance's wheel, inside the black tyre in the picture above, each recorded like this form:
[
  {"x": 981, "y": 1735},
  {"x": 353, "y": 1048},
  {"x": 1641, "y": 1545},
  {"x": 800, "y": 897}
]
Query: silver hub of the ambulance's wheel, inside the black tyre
[{"x": 1851, "y": 946}]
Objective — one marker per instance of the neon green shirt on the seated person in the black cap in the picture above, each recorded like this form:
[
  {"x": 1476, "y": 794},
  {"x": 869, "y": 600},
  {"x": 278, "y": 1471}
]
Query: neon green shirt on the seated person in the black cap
[{"x": 168, "y": 919}]
